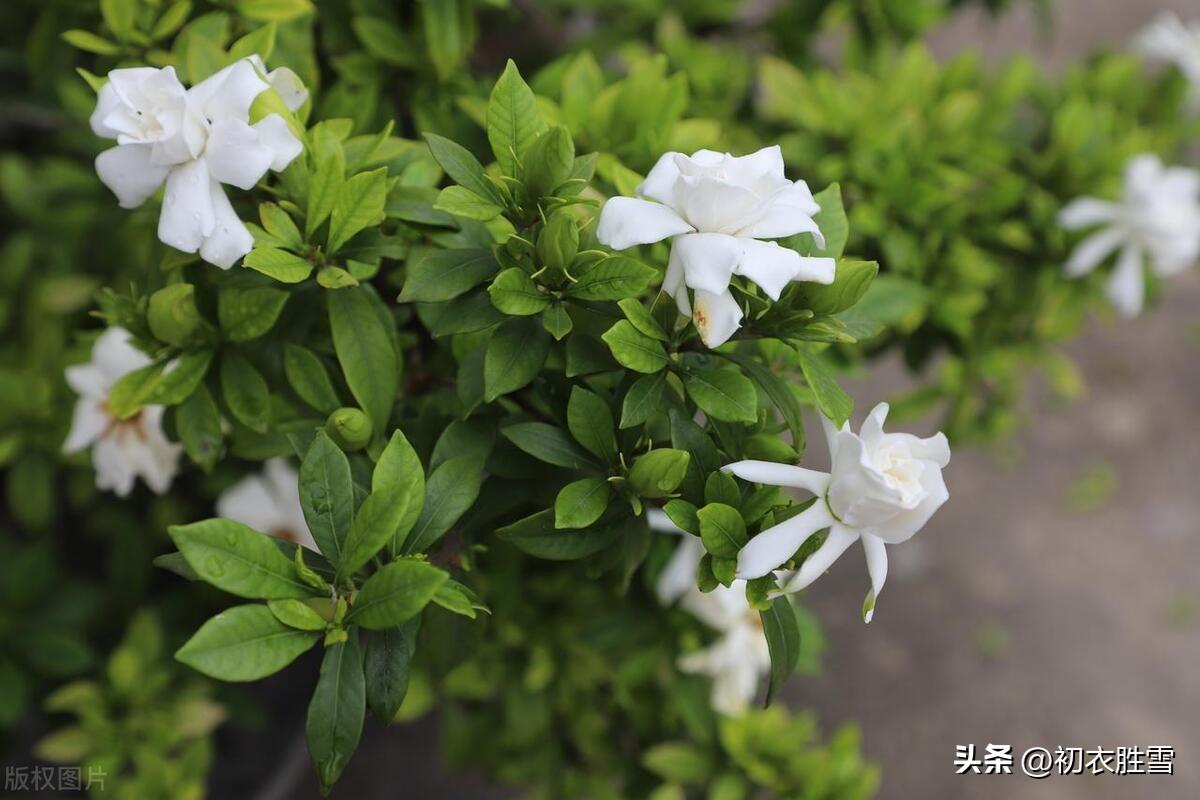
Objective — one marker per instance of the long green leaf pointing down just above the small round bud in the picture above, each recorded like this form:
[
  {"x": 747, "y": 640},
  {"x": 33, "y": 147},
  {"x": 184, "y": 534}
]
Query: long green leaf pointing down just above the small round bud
[{"x": 363, "y": 341}]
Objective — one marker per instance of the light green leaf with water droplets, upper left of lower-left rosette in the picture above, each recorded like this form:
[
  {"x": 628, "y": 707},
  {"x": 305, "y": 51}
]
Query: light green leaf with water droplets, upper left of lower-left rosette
[{"x": 238, "y": 560}]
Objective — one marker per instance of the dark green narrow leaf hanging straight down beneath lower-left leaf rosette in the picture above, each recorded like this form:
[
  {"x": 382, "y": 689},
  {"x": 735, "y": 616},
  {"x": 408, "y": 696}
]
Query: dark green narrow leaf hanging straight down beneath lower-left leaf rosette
[{"x": 337, "y": 711}]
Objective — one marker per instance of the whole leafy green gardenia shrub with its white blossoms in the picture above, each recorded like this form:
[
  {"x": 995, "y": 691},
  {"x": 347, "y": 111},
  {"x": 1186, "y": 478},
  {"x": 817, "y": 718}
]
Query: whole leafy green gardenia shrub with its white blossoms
[{"x": 497, "y": 392}]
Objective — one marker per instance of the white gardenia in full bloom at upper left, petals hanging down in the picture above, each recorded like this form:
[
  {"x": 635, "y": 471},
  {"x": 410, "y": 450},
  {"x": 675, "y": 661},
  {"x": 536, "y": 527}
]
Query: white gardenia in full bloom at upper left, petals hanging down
[{"x": 195, "y": 141}]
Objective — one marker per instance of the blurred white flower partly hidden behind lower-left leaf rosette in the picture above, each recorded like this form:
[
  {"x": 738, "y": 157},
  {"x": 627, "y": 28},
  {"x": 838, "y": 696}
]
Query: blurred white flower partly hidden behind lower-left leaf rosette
[{"x": 269, "y": 503}]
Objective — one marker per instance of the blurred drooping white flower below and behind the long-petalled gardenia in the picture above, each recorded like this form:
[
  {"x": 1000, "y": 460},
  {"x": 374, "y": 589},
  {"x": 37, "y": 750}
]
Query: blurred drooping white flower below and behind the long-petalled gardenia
[{"x": 740, "y": 658}]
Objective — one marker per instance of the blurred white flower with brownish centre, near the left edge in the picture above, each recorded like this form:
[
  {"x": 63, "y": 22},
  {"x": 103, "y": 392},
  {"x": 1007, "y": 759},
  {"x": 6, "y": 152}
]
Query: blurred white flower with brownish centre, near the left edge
[{"x": 122, "y": 450}]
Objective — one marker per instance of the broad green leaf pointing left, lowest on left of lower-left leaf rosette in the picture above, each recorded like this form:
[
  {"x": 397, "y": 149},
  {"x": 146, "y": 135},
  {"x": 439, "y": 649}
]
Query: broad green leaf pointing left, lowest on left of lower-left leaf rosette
[{"x": 244, "y": 643}]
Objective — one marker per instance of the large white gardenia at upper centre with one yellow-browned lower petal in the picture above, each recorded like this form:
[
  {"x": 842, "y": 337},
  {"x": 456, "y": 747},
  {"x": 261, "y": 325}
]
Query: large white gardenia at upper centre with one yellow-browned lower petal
[{"x": 718, "y": 208}]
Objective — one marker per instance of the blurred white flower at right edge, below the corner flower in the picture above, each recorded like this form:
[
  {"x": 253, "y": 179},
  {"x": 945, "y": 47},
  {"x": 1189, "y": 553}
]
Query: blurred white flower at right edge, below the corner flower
[{"x": 1159, "y": 219}]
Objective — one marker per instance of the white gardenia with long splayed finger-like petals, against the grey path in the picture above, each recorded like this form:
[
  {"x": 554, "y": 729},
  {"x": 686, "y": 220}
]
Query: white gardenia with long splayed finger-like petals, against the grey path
[{"x": 884, "y": 489}]
